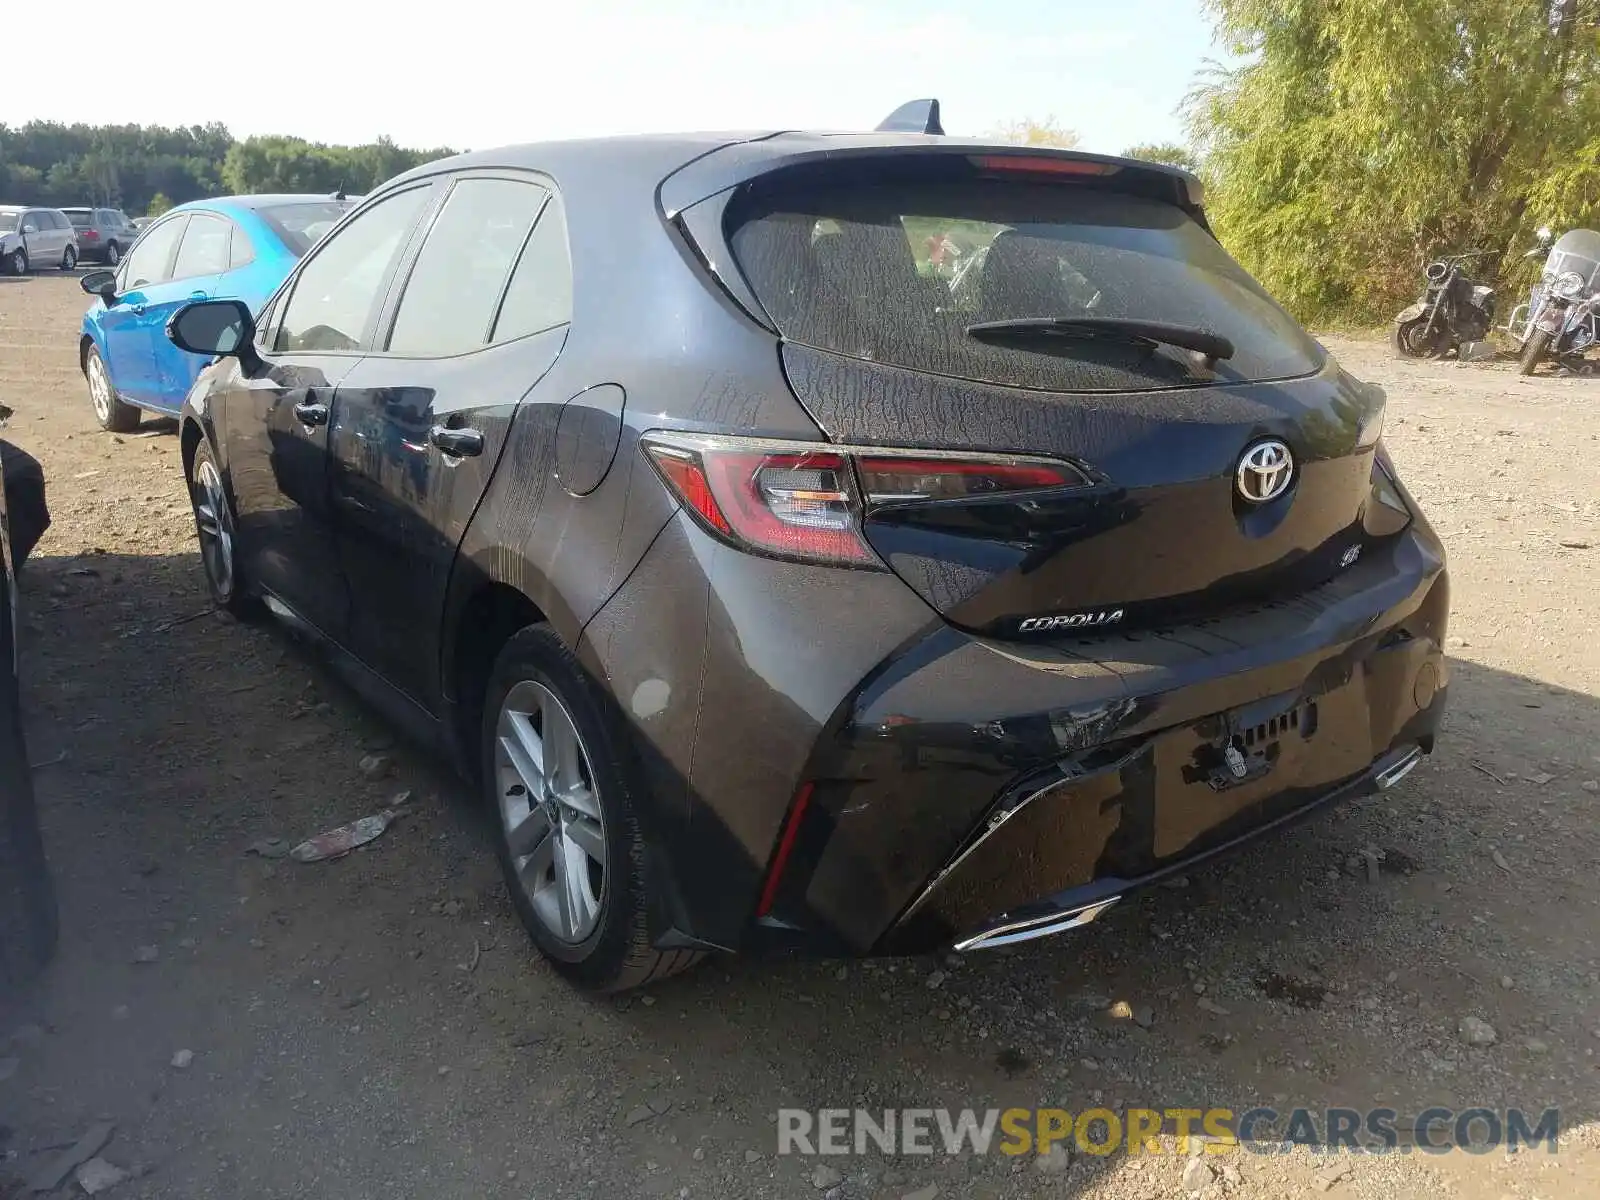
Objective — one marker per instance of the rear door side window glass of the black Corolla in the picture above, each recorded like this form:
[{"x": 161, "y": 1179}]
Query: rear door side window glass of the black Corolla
[{"x": 462, "y": 271}]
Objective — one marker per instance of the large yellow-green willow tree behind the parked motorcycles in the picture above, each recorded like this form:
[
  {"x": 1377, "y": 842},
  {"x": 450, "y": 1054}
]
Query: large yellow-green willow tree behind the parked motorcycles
[{"x": 1358, "y": 138}]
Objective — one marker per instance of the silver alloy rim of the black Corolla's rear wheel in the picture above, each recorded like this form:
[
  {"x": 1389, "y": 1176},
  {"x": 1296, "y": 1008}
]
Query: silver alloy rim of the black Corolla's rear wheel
[{"x": 550, "y": 810}]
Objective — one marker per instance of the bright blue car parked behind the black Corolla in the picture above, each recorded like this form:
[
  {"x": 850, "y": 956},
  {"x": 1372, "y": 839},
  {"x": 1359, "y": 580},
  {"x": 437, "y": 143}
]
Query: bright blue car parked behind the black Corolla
[{"x": 228, "y": 249}]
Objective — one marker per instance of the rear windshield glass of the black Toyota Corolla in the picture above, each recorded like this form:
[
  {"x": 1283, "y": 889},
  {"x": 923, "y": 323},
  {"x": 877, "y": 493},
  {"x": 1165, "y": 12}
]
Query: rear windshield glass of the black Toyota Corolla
[{"x": 898, "y": 273}]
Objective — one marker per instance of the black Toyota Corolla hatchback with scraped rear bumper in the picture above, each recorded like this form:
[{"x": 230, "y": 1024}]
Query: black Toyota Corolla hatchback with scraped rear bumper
[{"x": 860, "y": 545}]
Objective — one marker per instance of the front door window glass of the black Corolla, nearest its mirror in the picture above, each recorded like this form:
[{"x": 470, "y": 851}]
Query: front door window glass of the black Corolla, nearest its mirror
[{"x": 335, "y": 294}]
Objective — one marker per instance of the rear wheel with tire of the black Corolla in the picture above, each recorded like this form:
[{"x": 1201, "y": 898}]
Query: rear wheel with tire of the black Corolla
[{"x": 564, "y": 790}]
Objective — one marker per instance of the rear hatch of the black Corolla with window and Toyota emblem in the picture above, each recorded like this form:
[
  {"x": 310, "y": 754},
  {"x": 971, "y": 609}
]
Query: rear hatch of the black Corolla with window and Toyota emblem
[{"x": 1007, "y": 310}]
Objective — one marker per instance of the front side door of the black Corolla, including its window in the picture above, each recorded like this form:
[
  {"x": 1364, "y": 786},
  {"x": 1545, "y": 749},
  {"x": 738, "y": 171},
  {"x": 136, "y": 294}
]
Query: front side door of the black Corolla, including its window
[{"x": 276, "y": 417}]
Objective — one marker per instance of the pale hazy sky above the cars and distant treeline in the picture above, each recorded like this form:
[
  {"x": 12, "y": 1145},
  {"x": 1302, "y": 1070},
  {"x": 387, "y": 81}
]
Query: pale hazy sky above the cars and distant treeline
[{"x": 474, "y": 74}]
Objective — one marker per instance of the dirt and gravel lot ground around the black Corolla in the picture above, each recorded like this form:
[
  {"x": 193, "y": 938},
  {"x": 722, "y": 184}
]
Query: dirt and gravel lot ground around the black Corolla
[{"x": 378, "y": 1026}]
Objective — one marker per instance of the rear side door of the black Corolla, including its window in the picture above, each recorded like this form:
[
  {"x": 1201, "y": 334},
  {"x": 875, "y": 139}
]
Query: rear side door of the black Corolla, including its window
[{"x": 422, "y": 422}]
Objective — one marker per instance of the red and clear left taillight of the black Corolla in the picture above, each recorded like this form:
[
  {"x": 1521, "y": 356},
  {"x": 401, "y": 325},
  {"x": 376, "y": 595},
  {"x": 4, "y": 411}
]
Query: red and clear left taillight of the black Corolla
[{"x": 804, "y": 502}]
